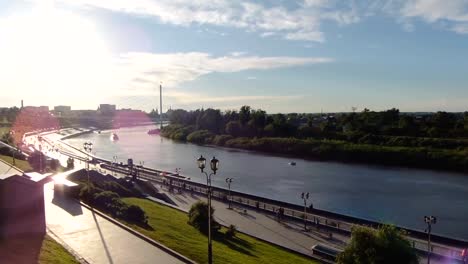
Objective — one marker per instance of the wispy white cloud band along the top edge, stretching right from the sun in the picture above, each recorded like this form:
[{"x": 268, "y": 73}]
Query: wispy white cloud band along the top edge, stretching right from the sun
[{"x": 301, "y": 23}]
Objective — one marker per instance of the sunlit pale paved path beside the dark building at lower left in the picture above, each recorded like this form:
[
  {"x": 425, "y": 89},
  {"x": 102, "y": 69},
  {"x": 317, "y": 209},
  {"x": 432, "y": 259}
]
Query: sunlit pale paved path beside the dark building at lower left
[{"x": 96, "y": 239}]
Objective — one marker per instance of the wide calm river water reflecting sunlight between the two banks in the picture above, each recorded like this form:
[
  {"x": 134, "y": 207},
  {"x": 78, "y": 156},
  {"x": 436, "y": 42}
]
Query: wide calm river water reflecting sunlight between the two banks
[{"x": 392, "y": 195}]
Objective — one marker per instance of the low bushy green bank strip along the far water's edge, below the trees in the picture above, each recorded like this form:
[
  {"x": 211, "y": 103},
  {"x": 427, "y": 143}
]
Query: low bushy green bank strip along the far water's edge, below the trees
[{"x": 424, "y": 157}]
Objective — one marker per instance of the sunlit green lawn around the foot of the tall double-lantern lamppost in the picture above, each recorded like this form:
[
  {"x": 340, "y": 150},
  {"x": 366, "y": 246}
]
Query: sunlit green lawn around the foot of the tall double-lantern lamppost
[{"x": 171, "y": 229}]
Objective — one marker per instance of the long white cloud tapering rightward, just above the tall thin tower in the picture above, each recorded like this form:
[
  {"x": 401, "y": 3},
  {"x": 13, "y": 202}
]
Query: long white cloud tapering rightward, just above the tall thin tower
[{"x": 144, "y": 69}]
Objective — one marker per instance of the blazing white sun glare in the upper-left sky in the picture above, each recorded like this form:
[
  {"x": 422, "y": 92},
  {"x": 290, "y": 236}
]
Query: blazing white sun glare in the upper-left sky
[{"x": 49, "y": 51}]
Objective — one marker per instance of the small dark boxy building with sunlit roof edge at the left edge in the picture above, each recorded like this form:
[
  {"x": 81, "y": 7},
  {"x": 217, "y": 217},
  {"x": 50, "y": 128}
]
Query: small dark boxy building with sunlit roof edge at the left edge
[{"x": 22, "y": 207}]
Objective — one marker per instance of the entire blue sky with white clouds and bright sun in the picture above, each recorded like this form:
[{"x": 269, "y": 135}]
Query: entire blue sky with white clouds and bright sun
[{"x": 280, "y": 56}]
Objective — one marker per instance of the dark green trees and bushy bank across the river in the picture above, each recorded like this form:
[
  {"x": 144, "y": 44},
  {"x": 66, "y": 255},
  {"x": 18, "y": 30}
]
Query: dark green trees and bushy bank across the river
[{"x": 427, "y": 140}]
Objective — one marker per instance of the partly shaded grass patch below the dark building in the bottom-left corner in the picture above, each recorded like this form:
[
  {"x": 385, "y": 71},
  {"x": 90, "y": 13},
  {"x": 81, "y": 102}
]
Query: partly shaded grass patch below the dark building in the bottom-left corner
[{"x": 34, "y": 249}]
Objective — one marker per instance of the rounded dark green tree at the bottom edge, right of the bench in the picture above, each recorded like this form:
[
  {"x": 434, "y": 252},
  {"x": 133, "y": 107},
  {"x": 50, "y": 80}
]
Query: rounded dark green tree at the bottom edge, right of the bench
[{"x": 382, "y": 246}]
